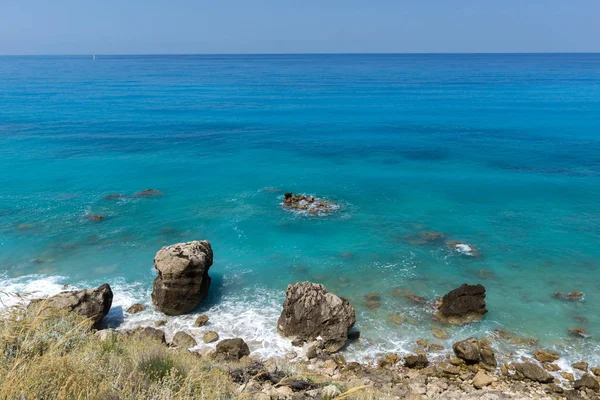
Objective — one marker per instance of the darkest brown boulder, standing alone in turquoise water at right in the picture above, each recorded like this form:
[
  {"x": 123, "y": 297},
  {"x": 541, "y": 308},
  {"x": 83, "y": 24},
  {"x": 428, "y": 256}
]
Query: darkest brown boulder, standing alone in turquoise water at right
[{"x": 463, "y": 305}]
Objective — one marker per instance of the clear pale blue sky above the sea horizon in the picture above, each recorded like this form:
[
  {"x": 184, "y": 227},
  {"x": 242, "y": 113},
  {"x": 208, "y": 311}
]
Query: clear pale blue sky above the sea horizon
[{"x": 297, "y": 26}]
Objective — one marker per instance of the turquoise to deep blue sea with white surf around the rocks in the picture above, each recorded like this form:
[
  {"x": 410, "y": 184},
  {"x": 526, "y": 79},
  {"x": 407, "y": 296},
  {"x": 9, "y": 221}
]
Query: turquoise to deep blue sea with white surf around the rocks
[{"x": 500, "y": 152}]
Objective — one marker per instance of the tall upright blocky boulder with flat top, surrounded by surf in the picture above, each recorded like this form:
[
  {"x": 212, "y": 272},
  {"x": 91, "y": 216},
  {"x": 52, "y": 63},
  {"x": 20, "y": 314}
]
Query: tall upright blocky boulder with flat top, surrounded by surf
[{"x": 182, "y": 281}]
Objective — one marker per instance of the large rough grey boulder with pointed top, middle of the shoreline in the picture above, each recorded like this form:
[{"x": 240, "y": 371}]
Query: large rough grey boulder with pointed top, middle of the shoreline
[{"x": 311, "y": 313}]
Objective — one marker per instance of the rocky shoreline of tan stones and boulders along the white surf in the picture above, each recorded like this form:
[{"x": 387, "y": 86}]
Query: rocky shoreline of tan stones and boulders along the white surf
[{"x": 319, "y": 325}]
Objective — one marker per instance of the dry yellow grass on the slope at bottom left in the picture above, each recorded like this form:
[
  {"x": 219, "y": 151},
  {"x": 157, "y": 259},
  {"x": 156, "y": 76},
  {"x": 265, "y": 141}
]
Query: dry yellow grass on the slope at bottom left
[{"x": 55, "y": 356}]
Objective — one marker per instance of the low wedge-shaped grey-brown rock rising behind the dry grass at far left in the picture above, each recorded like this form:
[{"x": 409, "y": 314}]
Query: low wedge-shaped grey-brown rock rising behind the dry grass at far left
[{"x": 90, "y": 303}]
